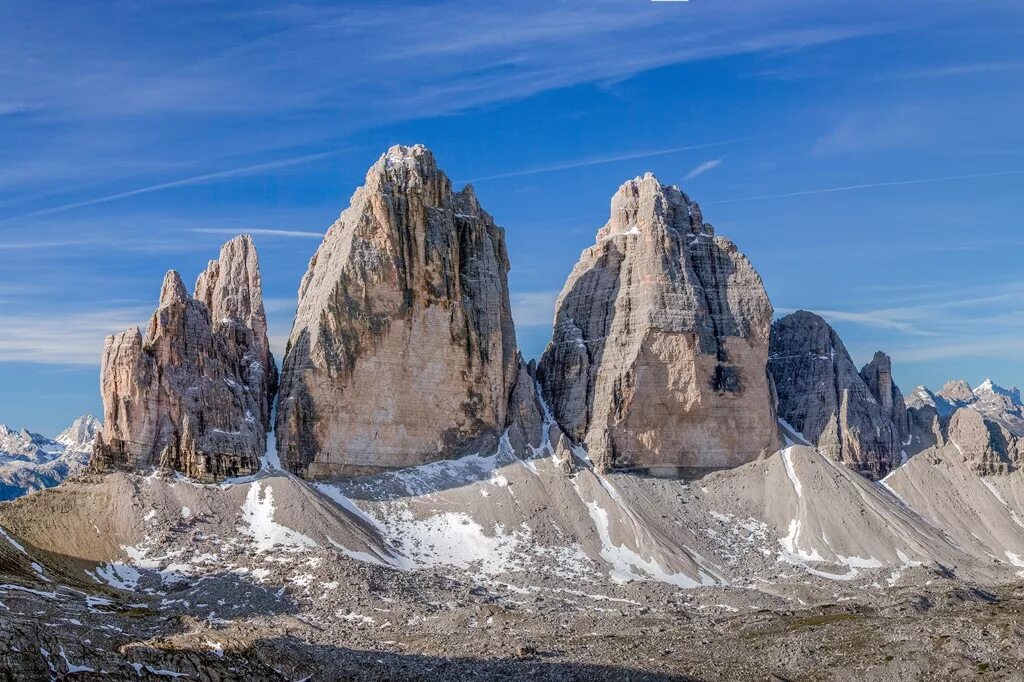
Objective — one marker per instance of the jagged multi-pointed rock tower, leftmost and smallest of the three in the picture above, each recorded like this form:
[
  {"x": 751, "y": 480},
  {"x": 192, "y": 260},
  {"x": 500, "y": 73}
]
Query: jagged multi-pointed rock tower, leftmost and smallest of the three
[{"x": 195, "y": 394}]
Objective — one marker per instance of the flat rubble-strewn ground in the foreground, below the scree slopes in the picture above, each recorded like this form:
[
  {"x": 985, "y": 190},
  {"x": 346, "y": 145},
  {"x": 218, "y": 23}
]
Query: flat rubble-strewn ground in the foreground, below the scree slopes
[{"x": 380, "y": 625}]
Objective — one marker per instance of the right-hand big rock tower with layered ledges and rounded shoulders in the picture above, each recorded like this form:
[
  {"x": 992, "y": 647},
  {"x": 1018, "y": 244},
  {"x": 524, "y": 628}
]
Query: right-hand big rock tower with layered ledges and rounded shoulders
[{"x": 658, "y": 357}]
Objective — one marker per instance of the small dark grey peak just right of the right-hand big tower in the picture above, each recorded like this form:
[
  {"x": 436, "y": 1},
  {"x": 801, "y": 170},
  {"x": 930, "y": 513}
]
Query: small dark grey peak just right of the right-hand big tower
[{"x": 825, "y": 398}]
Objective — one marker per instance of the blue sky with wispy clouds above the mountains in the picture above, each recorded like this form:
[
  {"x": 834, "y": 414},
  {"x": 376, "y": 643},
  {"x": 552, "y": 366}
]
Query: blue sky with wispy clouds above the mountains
[{"x": 867, "y": 156}]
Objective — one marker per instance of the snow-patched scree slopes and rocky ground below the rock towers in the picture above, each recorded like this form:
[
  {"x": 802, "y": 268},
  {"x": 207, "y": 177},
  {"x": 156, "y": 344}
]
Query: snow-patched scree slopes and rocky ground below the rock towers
[{"x": 787, "y": 569}]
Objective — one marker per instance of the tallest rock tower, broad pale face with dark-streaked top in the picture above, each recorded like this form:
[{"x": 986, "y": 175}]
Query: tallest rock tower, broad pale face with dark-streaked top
[{"x": 403, "y": 350}]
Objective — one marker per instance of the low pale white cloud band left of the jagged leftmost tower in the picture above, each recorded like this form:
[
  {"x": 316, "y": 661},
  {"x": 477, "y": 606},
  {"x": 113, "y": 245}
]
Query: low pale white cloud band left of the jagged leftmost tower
[{"x": 64, "y": 338}]
